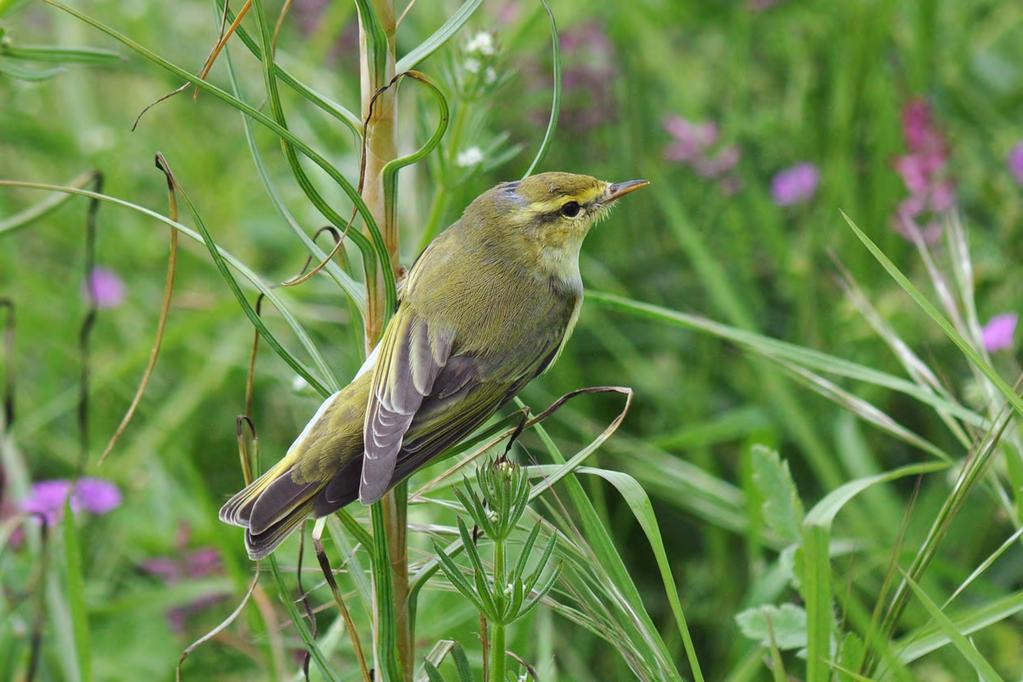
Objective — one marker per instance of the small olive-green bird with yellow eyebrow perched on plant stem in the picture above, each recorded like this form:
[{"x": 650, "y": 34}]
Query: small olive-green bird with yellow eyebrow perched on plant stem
[{"x": 486, "y": 308}]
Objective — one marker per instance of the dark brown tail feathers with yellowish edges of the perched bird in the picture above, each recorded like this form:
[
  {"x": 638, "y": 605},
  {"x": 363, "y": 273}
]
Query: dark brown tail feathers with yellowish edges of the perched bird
[{"x": 271, "y": 509}]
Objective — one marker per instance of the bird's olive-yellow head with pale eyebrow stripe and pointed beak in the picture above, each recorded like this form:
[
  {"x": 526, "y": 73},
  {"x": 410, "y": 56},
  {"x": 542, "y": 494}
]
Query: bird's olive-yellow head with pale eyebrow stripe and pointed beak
[{"x": 548, "y": 214}]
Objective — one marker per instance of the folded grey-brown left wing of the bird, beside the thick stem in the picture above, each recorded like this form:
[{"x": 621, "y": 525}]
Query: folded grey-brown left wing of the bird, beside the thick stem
[{"x": 413, "y": 355}]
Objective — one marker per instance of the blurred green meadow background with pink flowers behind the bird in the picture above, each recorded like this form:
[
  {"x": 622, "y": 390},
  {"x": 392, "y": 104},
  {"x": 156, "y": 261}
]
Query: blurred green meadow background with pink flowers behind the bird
[{"x": 829, "y": 84}]
